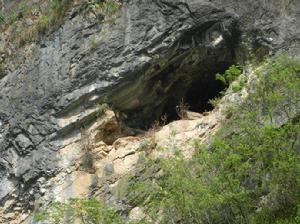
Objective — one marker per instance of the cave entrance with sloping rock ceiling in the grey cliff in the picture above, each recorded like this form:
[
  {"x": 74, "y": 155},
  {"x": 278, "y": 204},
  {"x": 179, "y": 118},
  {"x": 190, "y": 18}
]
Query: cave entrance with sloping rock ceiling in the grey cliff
[{"x": 189, "y": 77}]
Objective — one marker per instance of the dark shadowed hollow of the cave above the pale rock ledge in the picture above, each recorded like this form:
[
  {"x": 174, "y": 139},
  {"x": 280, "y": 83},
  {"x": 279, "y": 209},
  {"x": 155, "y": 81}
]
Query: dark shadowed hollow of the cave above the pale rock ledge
[{"x": 160, "y": 96}]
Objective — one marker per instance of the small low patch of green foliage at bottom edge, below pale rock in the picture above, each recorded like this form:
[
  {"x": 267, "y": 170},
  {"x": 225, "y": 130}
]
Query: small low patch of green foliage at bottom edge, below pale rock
[{"x": 79, "y": 211}]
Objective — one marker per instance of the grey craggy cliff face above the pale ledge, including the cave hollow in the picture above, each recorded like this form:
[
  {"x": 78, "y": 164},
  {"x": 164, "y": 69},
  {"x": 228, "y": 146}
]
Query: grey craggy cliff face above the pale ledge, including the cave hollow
[{"x": 154, "y": 54}]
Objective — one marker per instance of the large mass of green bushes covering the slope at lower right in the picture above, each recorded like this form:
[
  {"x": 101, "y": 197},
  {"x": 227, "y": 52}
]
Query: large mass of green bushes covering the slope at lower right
[{"x": 249, "y": 174}]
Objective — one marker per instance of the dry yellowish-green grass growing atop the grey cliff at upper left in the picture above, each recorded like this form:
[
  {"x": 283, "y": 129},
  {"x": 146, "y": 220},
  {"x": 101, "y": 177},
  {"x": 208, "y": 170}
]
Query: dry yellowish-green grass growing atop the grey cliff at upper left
[{"x": 46, "y": 16}]
